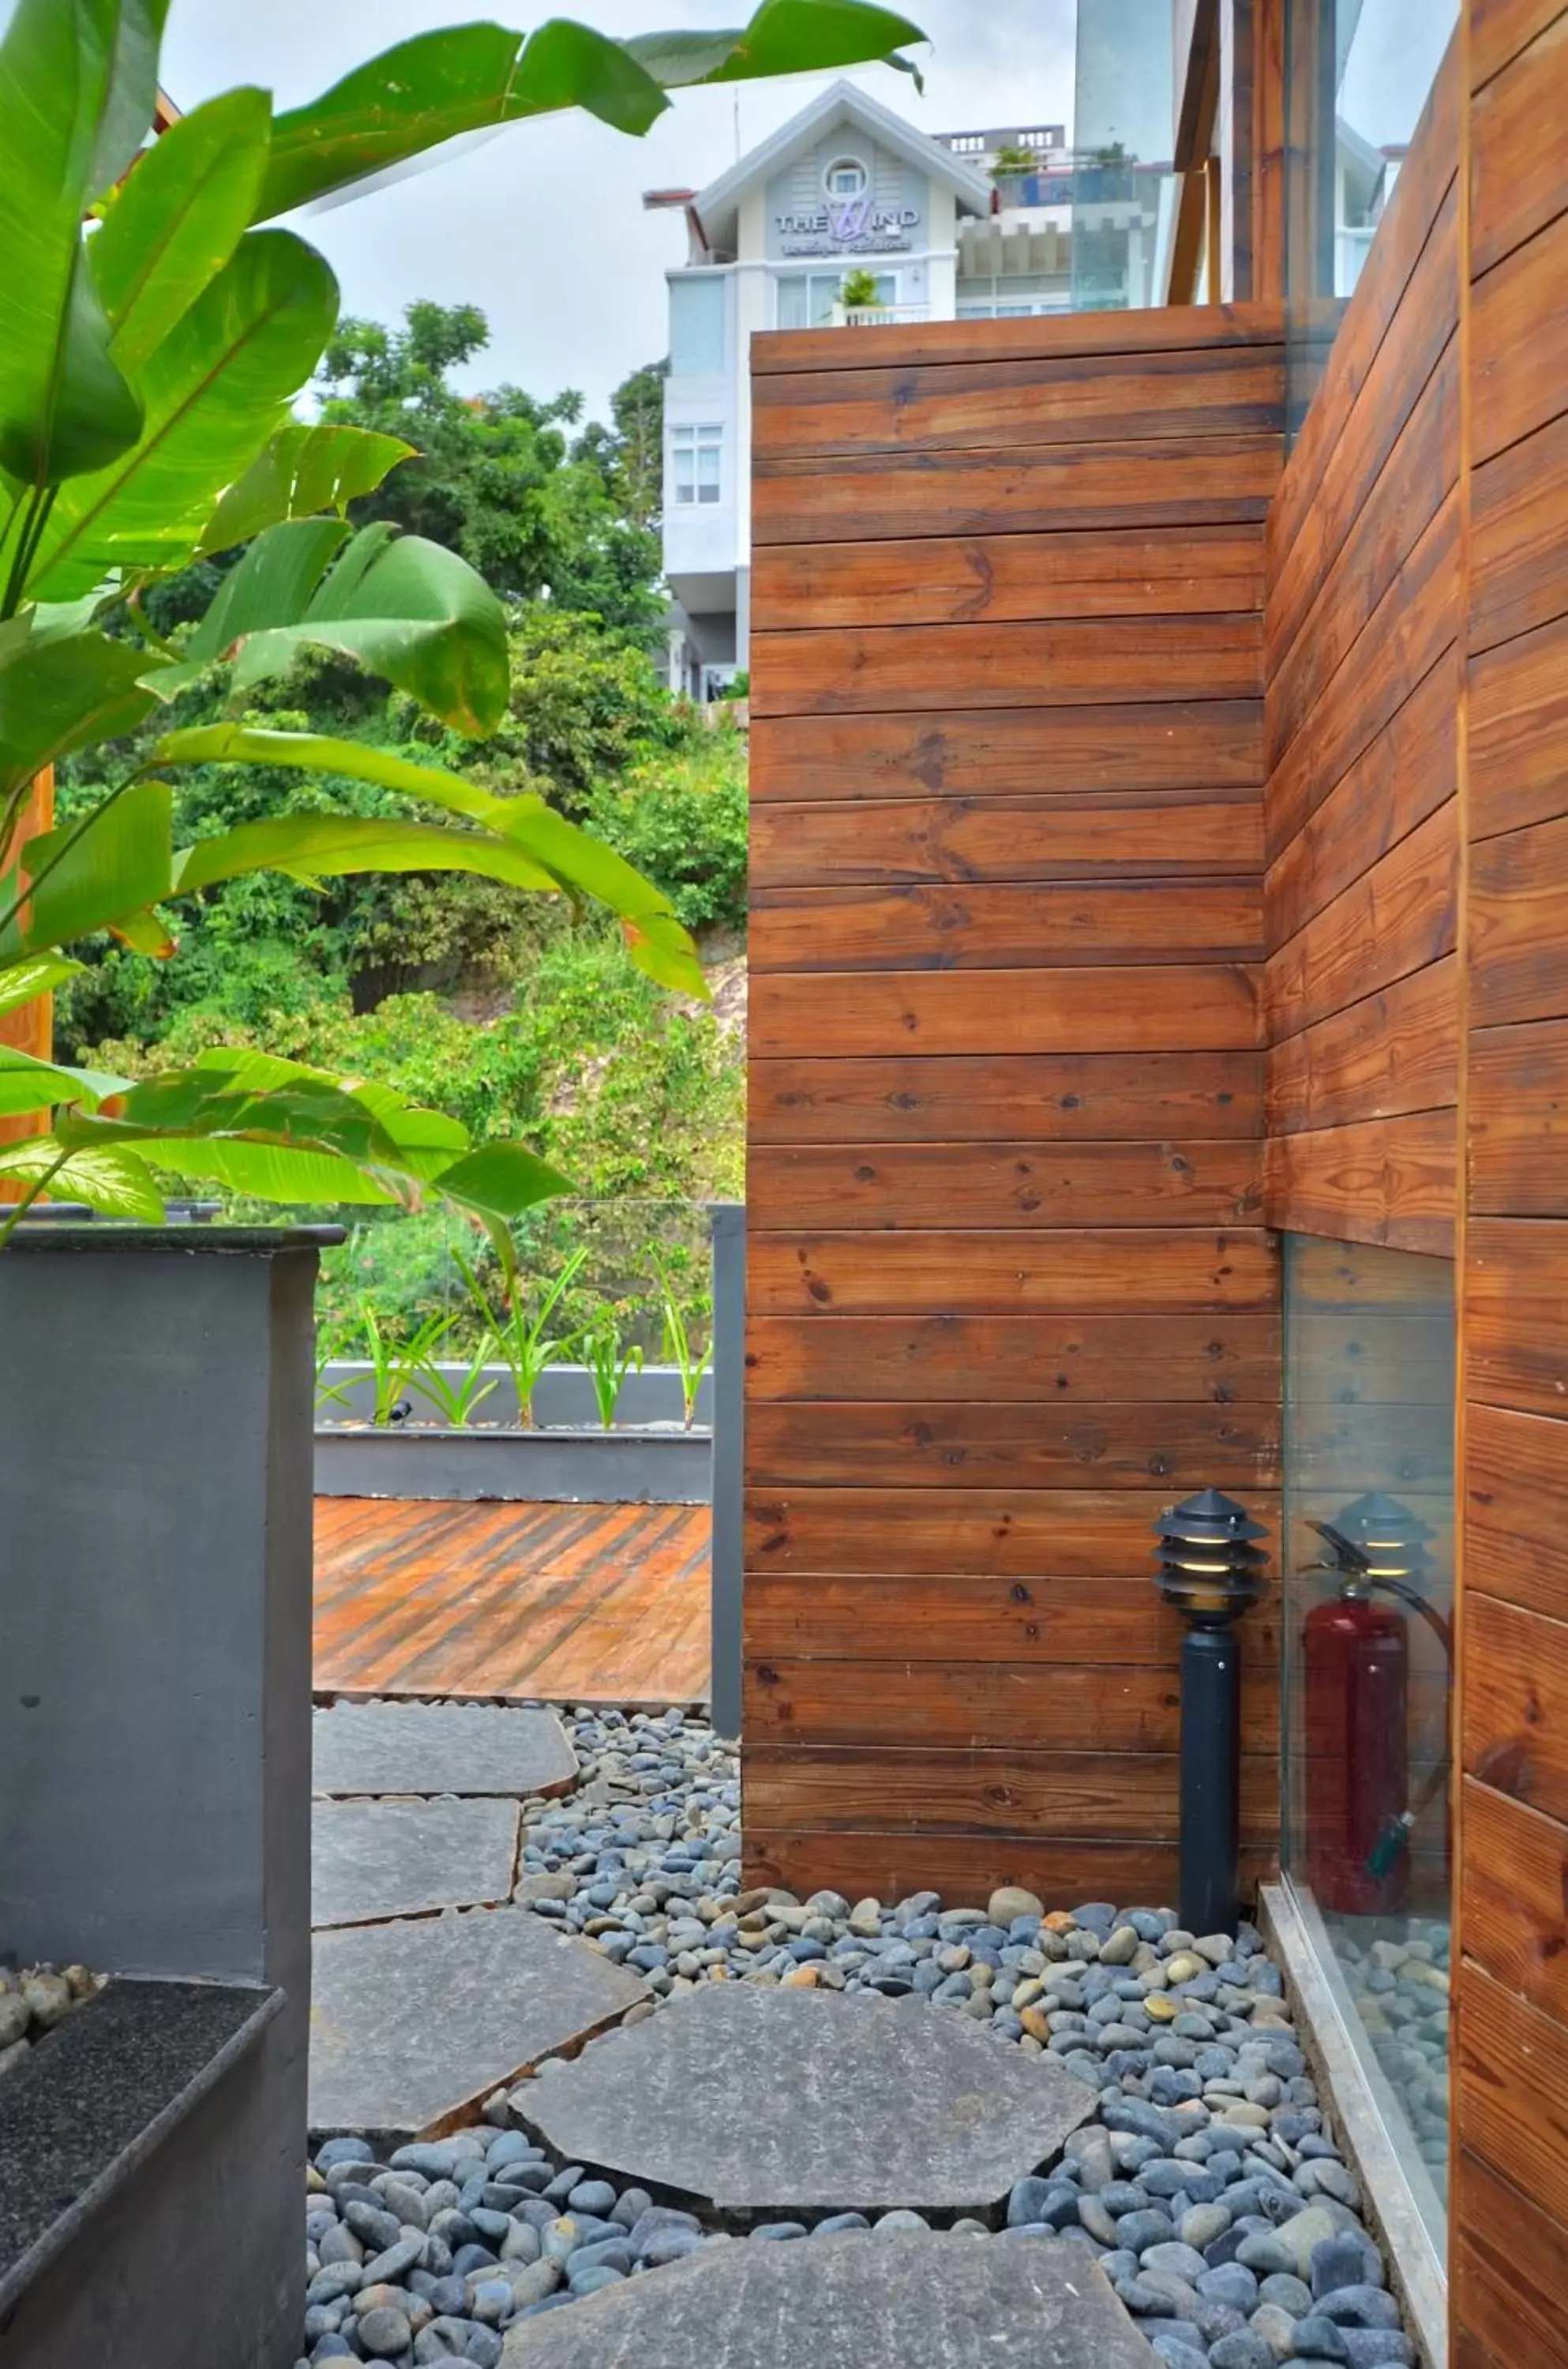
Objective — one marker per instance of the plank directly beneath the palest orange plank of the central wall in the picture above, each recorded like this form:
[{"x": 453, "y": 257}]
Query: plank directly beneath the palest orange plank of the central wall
[{"x": 949, "y": 1100}]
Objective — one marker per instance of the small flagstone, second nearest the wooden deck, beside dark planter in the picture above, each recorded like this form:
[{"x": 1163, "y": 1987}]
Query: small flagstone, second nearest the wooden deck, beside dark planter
[{"x": 401, "y": 1858}]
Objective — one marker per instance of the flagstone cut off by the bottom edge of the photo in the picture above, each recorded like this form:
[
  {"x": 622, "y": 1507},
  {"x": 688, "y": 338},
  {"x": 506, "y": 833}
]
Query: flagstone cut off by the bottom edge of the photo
[{"x": 918, "y": 2301}]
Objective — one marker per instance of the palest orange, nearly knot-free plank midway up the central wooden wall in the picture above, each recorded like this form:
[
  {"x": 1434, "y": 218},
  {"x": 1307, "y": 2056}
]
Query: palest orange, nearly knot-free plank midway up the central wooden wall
[{"x": 1003, "y": 1013}]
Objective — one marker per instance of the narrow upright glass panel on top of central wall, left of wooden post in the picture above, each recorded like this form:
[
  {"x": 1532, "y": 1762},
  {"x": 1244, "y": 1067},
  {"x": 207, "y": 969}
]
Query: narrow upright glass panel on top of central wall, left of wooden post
[{"x": 1122, "y": 136}]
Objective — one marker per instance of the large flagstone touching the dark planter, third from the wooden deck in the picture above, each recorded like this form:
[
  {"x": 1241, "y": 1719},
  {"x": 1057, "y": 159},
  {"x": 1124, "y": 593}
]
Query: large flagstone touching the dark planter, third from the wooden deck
[{"x": 413, "y": 2022}]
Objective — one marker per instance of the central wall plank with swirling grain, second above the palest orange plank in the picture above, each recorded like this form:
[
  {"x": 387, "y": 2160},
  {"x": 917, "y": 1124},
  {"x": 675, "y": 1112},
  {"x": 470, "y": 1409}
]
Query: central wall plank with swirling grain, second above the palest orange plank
[{"x": 1138, "y": 835}]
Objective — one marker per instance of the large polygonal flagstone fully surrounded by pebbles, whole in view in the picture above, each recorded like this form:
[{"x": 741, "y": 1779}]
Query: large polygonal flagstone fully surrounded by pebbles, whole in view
[{"x": 783, "y": 2102}]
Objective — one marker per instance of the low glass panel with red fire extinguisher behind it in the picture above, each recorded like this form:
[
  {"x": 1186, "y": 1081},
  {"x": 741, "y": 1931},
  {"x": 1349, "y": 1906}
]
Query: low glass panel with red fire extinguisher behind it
[{"x": 1368, "y": 1662}]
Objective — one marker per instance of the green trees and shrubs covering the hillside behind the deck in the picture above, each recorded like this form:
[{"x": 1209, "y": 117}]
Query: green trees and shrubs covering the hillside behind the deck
[{"x": 506, "y": 1010}]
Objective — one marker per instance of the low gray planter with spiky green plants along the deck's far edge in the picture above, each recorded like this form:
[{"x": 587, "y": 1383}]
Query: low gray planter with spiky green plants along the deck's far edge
[{"x": 567, "y": 1458}]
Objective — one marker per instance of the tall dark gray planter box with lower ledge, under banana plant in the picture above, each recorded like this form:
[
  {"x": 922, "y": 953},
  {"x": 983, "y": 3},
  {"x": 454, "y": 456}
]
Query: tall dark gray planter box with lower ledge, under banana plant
[{"x": 155, "y": 1778}]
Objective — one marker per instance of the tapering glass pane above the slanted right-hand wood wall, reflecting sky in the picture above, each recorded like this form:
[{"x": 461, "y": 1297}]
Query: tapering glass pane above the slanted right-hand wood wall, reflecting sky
[{"x": 1358, "y": 75}]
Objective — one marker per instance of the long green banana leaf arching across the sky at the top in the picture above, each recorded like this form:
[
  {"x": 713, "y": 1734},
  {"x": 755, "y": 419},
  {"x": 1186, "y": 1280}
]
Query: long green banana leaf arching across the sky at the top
[{"x": 473, "y": 77}]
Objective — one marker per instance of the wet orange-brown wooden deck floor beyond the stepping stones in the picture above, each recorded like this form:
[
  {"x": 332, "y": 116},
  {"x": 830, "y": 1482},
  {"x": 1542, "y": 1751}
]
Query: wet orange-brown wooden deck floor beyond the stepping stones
[{"x": 570, "y": 1603}]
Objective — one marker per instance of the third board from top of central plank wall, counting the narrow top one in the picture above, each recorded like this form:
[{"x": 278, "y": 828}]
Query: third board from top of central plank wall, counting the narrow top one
[{"x": 1114, "y": 487}]
